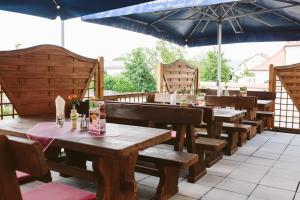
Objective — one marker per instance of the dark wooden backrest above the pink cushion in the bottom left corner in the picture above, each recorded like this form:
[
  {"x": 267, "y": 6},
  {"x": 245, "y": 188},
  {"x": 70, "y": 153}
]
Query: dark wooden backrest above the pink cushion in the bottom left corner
[{"x": 18, "y": 154}]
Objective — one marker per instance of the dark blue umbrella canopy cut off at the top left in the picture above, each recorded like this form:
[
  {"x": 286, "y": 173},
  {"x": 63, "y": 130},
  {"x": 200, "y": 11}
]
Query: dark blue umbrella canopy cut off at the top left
[{"x": 66, "y": 9}]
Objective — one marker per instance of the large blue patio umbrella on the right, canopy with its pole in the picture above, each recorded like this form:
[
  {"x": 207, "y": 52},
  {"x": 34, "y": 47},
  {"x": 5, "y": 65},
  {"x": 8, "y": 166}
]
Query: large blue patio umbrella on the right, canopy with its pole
[{"x": 209, "y": 22}]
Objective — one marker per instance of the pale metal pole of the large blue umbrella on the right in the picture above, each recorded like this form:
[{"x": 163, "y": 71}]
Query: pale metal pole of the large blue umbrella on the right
[{"x": 219, "y": 71}]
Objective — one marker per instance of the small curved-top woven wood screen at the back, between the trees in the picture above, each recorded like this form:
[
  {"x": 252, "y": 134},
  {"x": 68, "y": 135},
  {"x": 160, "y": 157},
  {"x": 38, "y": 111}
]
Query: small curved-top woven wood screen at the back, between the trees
[{"x": 177, "y": 76}]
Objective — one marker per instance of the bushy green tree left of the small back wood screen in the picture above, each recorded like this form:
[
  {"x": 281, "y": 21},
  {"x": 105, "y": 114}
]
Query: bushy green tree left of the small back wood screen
[{"x": 138, "y": 71}]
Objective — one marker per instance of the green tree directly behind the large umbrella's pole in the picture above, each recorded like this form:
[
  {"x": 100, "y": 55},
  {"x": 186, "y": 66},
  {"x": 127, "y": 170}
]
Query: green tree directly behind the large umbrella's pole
[{"x": 209, "y": 67}]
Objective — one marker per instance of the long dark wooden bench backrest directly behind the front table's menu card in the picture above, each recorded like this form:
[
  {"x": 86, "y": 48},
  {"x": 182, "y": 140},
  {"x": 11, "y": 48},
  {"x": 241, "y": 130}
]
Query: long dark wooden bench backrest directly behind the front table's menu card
[{"x": 152, "y": 113}]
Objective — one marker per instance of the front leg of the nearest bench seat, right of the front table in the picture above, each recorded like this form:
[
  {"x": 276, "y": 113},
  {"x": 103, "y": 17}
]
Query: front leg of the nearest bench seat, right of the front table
[{"x": 168, "y": 182}]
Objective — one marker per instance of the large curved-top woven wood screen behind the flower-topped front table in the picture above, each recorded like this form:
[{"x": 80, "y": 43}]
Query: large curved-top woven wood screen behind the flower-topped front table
[{"x": 32, "y": 78}]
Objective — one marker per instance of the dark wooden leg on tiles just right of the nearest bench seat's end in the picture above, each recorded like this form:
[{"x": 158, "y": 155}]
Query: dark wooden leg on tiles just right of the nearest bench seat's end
[{"x": 197, "y": 170}]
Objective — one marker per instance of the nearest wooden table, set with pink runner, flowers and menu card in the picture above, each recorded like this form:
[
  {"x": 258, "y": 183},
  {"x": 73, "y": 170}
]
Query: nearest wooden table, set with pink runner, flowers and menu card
[{"x": 114, "y": 157}]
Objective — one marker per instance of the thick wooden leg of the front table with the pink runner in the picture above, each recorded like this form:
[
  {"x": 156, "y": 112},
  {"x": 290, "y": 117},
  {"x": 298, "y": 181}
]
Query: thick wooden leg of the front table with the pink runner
[{"x": 116, "y": 177}]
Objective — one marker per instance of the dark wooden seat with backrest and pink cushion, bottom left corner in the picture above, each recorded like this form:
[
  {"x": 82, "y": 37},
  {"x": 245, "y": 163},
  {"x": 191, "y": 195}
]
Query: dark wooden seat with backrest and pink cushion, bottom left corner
[{"x": 27, "y": 156}]
